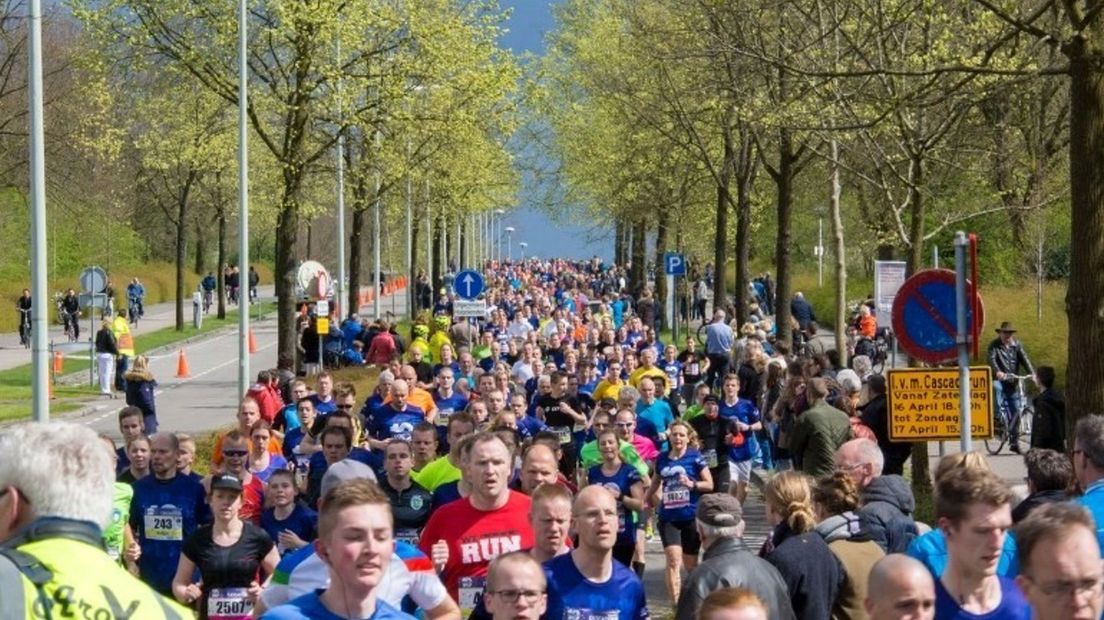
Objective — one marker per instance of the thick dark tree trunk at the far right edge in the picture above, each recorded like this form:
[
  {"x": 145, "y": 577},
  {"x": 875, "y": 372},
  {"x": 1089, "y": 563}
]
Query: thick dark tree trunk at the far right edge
[{"x": 1085, "y": 300}]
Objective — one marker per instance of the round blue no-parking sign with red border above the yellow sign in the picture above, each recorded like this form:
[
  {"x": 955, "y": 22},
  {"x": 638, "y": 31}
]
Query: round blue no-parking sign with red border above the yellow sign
[{"x": 925, "y": 320}]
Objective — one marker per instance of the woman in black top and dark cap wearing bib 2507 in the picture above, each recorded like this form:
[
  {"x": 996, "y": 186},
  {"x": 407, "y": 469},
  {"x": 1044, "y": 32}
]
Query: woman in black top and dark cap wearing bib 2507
[{"x": 230, "y": 554}]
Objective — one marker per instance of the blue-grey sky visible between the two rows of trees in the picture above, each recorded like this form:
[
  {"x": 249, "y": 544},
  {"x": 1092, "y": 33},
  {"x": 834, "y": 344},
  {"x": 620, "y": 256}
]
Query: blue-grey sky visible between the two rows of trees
[{"x": 529, "y": 23}]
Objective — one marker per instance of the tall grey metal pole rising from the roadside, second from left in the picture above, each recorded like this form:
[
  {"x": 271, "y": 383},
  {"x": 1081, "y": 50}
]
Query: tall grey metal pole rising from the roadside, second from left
[{"x": 243, "y": 204}]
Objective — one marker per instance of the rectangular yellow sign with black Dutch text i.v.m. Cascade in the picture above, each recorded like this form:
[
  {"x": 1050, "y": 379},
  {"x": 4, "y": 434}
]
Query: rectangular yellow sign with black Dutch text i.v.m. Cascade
[{"x": 923, "y": 404}]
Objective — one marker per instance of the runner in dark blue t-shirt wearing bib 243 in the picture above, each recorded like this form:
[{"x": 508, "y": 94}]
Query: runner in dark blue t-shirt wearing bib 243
[{"x": 166, "y": 509}]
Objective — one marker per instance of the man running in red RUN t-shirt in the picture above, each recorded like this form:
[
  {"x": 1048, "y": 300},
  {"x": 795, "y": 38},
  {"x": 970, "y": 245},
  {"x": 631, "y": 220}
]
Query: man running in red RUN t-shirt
[{"x": 464, "y": 537}]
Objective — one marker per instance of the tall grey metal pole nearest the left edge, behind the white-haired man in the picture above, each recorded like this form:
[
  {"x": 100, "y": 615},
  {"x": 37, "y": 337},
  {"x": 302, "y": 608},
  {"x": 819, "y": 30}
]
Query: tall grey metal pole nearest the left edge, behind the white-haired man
[{"x": 40, "y": 314}]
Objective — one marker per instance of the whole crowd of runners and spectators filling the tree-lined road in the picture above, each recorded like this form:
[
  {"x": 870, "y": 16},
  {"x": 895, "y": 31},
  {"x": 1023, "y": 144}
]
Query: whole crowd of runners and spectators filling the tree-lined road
[{"x": 521, "y": 466}]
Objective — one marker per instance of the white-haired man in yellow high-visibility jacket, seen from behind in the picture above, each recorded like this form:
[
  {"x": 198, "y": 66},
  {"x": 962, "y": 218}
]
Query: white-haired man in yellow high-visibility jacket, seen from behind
[{"x": 57, "y": 485}]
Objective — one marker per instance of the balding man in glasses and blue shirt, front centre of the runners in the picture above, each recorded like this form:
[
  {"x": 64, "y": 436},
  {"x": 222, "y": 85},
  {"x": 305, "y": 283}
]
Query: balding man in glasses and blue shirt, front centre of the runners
[{"x": 587, "y": 584}]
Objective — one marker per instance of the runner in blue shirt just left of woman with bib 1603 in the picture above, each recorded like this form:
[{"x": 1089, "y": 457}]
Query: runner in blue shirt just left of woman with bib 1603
[{"x": 624, "y": 482}]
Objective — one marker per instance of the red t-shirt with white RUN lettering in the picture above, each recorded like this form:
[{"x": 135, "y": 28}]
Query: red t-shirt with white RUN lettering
[{"x": 475, "y": 538}]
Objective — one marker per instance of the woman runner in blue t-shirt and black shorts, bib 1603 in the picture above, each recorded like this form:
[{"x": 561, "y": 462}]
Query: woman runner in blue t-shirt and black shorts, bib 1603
[{"x": 682, "y": 476}]
